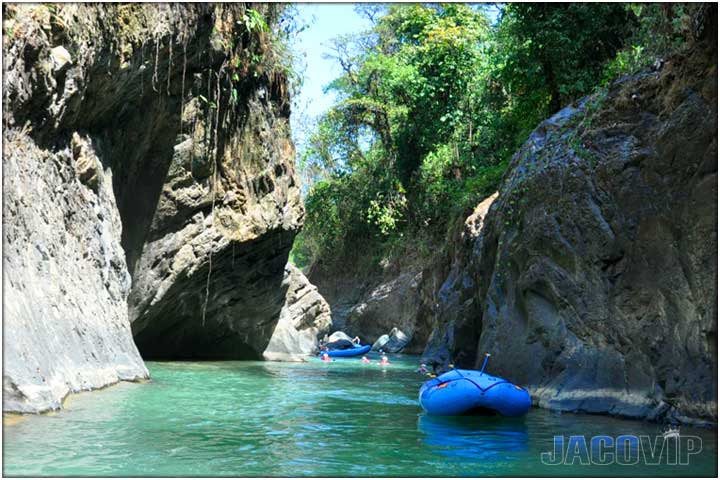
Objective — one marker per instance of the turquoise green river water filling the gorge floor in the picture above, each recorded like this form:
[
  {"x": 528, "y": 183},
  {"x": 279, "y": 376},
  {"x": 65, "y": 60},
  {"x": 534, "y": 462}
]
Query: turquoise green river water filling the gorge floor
[{"x": 341, "y": 418}]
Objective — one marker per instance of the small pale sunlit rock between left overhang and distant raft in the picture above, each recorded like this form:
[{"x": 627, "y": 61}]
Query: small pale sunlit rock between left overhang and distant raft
[{"x": 304, "y": 319}]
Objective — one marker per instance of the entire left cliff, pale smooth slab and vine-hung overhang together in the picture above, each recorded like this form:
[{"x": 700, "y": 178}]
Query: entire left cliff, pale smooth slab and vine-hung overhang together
[{"x": 149, "y": 182}]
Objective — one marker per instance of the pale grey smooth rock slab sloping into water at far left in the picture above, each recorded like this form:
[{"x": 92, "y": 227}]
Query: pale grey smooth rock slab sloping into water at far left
[{"x": 66, "y": 325}]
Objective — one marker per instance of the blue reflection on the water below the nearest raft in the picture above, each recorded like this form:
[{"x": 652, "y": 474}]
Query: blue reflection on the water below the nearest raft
[{"x": 476, "y": 437}]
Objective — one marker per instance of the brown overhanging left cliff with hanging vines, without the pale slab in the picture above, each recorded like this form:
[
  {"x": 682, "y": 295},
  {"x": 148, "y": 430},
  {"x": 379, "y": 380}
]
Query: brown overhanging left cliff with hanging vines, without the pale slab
[{"x": 209, "y": 204}]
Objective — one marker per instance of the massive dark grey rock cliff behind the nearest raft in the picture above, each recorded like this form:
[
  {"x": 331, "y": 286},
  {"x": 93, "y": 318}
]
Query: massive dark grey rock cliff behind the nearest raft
[{"x": 593, "y": 276}]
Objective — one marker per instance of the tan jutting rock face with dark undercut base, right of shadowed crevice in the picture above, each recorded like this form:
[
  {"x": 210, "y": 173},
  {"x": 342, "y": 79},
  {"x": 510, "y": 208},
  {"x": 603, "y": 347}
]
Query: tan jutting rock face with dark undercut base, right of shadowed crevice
[{"x": 208, "y": 279}]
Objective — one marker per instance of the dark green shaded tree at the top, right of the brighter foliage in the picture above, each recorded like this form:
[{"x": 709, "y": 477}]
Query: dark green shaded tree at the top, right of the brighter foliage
[{"x": 547, "y": 54}]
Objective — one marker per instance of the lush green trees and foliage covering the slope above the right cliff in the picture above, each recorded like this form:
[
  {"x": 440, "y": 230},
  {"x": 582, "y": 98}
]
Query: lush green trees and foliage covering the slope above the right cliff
[{"x": 434, "y": 100}]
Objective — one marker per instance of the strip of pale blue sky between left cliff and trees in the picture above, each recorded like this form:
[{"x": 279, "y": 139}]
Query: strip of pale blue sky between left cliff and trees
[{"x": 325, "y": 21}]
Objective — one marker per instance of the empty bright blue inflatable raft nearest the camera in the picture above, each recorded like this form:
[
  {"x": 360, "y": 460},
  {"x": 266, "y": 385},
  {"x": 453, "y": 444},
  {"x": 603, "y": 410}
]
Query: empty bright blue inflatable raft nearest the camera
[{"x": 459, "y": 392}]
